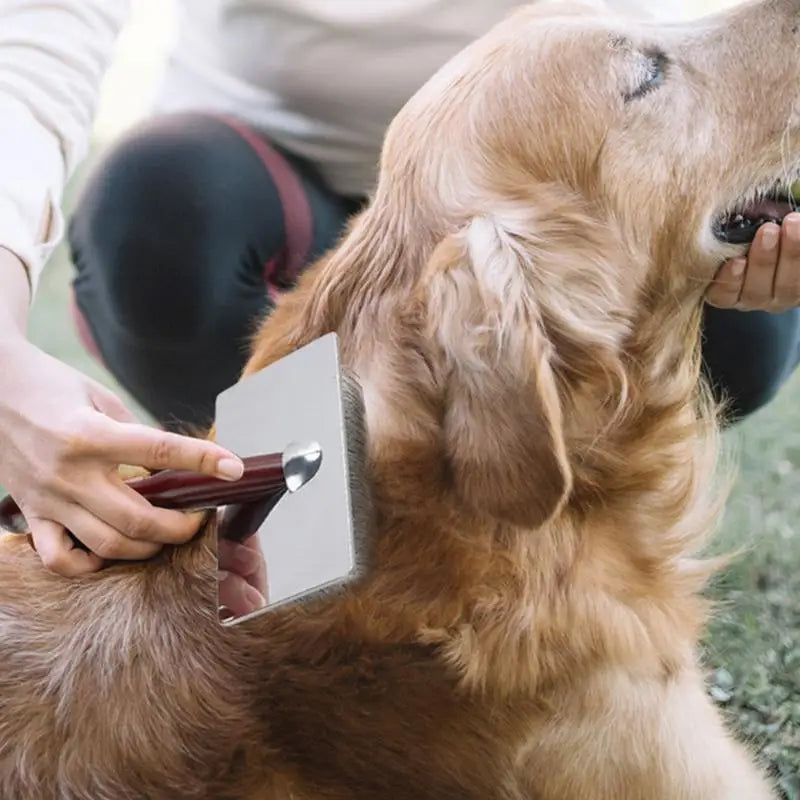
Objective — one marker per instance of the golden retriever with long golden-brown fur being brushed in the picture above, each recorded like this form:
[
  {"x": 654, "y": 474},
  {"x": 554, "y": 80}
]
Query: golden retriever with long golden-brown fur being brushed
[{"x": 521, "y": 303}]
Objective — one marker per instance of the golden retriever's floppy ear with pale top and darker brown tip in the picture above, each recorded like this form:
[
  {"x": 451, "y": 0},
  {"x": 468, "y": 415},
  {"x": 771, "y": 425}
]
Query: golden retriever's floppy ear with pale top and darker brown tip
[{"x": 502, "y": 422}]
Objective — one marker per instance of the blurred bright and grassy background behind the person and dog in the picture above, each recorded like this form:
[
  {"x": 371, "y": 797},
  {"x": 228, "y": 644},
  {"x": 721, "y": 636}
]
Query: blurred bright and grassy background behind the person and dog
[{"x": 753, "y": 647}]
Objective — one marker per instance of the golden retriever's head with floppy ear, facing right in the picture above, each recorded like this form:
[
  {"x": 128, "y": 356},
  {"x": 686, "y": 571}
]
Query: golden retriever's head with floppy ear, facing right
[{"x": 551, "y": 208}]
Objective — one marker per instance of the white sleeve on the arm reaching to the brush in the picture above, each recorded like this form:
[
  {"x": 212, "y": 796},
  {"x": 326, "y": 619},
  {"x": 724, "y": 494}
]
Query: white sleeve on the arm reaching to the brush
[{"x": 53, "y": 56}]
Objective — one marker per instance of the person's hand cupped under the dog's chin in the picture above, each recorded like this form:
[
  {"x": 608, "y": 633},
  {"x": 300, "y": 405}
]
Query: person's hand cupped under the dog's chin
[{"x": 769, "y": 278}]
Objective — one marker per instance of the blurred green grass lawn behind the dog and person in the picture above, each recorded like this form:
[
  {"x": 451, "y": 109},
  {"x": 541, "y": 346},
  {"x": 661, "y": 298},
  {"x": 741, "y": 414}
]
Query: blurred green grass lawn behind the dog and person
[{"x": 753, "y": 646}]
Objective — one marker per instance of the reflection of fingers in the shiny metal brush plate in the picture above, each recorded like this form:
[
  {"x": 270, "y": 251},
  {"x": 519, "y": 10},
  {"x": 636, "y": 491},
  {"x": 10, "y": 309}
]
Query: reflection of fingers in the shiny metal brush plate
[{"x": 242, "y": 577}]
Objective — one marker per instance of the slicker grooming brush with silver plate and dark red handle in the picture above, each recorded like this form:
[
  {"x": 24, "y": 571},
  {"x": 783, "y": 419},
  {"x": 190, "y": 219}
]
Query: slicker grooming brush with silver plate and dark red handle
[{"x": 299, "y": 427}]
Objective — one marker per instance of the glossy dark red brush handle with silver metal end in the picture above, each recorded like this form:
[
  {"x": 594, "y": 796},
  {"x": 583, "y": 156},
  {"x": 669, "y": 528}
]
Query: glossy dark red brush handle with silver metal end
[{"x": 266, "y": 479}]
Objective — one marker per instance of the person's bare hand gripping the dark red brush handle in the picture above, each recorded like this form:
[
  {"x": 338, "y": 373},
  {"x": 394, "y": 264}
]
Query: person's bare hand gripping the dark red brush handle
[{"x": 62, "y": 439}]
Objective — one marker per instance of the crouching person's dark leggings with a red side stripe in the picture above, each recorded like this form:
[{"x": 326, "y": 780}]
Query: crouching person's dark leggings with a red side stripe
[{"x": 193, "y": 222}]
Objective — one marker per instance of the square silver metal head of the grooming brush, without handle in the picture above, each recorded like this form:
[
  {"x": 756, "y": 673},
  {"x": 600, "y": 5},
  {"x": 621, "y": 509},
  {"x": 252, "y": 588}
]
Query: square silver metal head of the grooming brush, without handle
[{"x": 309, "y": 540}]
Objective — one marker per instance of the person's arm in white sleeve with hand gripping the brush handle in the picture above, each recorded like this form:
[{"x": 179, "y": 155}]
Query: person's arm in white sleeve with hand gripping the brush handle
[{"x": 62, "y": 435}]
